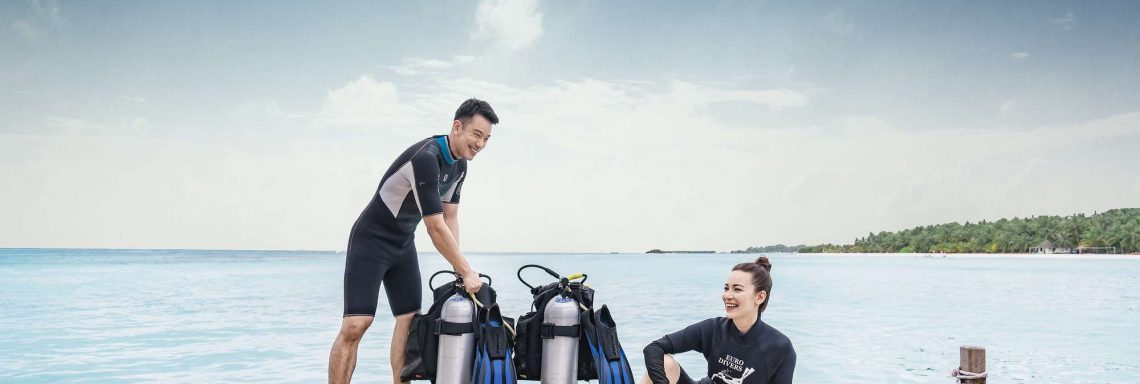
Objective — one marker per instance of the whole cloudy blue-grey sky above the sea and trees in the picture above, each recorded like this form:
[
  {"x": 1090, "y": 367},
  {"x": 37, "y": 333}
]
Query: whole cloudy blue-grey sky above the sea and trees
[{"x": 625, "y": 126}]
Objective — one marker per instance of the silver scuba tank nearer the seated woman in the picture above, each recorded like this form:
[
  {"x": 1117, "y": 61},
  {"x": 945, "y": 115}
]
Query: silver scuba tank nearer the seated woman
[{"x": 560, "y": 355}]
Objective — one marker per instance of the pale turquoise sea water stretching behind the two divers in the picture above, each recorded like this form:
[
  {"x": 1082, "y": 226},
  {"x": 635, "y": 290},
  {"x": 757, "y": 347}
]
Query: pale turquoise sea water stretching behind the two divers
[{"x": 70, "y": 316}]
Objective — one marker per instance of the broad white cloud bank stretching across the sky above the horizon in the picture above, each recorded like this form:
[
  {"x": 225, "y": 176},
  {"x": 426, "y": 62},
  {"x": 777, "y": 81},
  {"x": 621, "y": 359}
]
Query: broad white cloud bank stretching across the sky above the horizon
[{"x": 641, "y": 156}]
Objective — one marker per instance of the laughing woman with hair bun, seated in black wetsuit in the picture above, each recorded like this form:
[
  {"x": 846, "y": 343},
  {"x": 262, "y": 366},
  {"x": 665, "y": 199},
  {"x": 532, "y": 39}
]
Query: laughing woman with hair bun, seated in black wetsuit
[{"x": 740, "y": 349}]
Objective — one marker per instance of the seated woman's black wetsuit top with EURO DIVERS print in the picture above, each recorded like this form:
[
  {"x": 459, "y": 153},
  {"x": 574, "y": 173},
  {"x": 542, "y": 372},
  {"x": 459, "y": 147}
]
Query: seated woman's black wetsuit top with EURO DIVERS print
[{"x": 761, "y": 356}]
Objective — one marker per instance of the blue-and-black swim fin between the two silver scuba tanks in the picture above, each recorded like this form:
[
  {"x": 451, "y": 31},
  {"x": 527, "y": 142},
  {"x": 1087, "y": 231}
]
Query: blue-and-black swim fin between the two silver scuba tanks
[{"x": 494, "y": 354}]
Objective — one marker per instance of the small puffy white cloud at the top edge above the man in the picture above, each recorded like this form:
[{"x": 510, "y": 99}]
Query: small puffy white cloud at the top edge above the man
[{"x": 515, "y": 24}]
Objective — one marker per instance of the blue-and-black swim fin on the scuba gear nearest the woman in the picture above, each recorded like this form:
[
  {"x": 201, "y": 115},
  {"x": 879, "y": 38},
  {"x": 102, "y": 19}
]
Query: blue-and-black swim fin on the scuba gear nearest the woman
[{"x": 609, "y": 358}]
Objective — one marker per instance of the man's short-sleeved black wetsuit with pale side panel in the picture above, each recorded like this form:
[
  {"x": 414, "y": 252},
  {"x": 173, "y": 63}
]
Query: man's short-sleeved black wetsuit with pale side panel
[{"x": 381, "y": 246}]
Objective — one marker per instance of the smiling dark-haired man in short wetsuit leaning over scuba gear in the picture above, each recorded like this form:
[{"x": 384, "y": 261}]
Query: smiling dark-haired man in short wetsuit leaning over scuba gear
[{"x": 425, "y": 183}]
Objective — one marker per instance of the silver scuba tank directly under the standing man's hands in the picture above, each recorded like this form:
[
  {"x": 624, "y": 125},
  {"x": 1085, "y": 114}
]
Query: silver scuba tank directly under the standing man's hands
[{"x": 457, "y": 353}]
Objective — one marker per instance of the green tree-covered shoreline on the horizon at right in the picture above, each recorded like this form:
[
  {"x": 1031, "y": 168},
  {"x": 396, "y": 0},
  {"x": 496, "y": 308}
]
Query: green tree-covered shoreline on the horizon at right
[{"x": 1114, "y": 228}]
